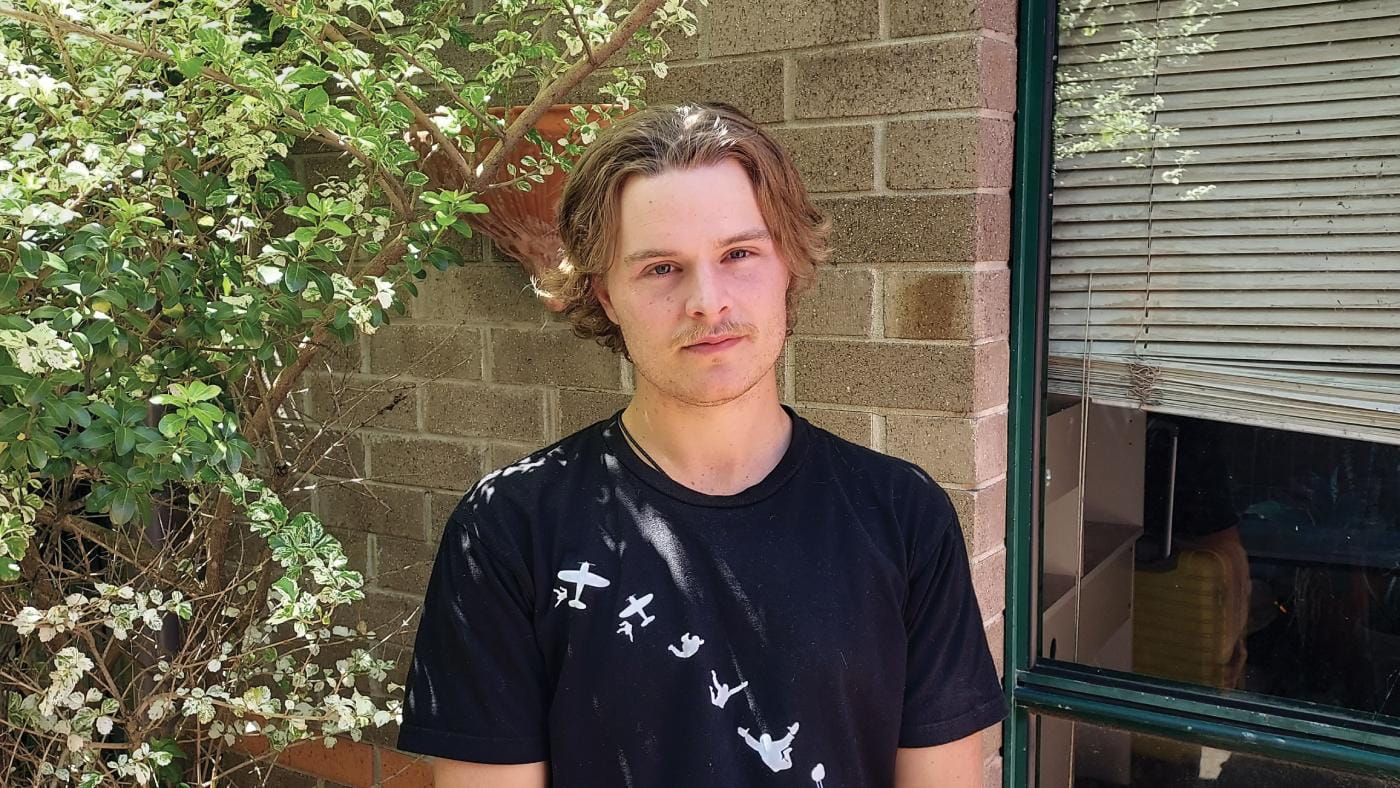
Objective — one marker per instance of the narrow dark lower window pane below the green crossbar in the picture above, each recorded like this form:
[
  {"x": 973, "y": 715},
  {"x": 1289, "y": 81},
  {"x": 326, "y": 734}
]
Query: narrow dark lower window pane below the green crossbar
[{"x": 1081, "y": 755}]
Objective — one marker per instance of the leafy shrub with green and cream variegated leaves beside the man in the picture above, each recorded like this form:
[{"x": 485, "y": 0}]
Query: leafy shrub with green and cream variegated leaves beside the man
[{"x": 164, "y": 285}]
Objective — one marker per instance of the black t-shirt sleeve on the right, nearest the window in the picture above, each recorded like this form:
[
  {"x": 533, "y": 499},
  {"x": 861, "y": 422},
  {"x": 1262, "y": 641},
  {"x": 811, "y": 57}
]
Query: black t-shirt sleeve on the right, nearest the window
[{"x": 951, "y": 689}]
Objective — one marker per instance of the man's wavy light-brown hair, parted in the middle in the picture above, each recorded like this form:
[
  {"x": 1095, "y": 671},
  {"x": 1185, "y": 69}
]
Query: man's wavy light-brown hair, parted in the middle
[{"x": 660, "y": 139}]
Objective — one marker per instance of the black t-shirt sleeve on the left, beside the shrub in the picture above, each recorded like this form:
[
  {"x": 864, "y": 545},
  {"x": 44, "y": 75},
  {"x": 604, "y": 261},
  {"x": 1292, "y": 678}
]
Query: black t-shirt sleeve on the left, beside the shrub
[{"x": 477, "y": 689}]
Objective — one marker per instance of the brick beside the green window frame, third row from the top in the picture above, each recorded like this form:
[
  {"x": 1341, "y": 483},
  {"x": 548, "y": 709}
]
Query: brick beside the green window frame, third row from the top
[{"x": 948, "y": 153}]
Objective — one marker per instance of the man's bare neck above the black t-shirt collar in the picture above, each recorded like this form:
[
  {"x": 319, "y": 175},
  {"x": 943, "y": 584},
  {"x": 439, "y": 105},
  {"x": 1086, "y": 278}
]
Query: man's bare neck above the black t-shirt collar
[{"x": 717, "y": 450}]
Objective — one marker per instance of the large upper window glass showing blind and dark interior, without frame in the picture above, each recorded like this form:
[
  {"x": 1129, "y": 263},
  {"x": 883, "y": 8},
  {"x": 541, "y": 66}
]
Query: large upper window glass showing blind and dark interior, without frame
[{"x": 1223, "y": 435}]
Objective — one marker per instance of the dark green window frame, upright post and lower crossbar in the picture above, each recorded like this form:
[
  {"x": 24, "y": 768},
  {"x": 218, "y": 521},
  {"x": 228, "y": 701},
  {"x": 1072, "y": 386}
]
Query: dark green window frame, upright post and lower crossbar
[{"x": 1238, "y": 722}]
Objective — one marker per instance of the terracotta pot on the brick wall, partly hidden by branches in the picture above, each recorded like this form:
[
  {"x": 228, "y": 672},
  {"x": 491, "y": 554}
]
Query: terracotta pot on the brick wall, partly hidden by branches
[{"x": 523, "y": 225}]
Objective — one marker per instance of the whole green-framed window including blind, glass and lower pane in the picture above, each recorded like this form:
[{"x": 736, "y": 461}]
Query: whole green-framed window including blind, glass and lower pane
[{"x": 1206, "y": 442}]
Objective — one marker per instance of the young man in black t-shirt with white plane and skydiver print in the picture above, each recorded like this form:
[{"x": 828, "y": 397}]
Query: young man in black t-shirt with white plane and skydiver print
[{"x": 702, "y": 591}]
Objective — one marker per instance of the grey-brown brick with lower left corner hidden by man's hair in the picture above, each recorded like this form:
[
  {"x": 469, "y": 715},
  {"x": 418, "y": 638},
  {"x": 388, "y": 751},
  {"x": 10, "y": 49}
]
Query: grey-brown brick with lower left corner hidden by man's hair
[{"x": 831, "y": 159}]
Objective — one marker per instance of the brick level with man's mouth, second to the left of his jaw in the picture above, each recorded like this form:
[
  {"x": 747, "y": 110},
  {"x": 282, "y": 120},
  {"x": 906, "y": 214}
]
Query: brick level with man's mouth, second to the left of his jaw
[{"x": 428, "y": 352}]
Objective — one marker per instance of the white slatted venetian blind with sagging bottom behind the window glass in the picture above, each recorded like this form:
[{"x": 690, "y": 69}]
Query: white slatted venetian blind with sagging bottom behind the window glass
[{"x": 1275, "y": 296}]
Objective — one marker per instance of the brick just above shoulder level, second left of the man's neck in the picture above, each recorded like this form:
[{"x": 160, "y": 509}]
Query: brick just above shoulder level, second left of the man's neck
[{"x": 484, "y": 411}]
